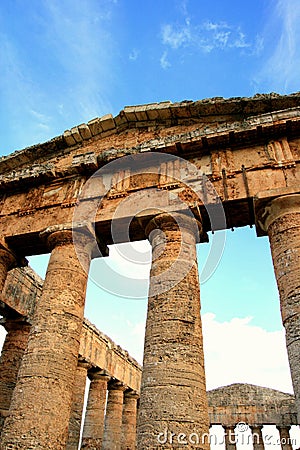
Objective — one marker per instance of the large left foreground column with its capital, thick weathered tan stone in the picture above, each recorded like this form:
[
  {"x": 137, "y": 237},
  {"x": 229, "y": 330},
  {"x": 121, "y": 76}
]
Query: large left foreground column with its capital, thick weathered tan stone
[{"x": 41, "y": 403}]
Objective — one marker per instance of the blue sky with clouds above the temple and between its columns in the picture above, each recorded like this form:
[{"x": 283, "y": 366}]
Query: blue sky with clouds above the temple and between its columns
[{"x": 64, "y": 62}]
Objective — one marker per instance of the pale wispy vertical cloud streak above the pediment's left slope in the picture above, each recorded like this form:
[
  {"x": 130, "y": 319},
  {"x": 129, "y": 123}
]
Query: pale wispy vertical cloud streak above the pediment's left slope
[{"x": 79, "y": 37}]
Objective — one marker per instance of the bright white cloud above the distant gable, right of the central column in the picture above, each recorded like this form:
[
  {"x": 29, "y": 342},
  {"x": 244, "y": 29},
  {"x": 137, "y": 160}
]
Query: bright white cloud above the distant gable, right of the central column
[{"x": 238, "y": 352}]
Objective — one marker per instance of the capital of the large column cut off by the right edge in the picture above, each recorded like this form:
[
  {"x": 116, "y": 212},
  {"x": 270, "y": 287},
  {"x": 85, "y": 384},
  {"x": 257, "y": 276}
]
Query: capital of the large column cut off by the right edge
[{"x": 267, "y": 209}]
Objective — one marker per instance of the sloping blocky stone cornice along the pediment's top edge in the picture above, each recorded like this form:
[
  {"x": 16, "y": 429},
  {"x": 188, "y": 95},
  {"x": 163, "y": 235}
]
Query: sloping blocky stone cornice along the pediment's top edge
[{"x": 235, "y": 113}]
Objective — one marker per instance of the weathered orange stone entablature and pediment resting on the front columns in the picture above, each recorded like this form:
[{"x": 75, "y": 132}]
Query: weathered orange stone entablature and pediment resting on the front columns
[{"x": 243, "y": 146}]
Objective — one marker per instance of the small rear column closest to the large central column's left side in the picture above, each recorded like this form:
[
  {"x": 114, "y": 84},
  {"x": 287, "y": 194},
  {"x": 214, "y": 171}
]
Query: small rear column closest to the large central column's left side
[{"x": 129, "y": 420}]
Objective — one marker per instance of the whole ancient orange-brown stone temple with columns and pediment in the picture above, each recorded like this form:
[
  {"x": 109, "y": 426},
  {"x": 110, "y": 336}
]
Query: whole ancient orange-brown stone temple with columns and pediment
[{"x": 170, "y": 173}]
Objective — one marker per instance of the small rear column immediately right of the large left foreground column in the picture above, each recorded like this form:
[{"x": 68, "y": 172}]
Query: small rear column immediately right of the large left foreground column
[{"x": 77, "y": 405}]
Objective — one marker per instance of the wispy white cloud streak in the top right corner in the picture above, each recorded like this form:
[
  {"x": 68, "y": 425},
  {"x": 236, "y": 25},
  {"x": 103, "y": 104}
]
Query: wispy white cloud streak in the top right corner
[{"x": 281, "y": 67}]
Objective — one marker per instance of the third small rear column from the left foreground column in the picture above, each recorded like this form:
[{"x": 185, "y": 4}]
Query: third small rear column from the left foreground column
[{"x": 113, "y": 417}]
